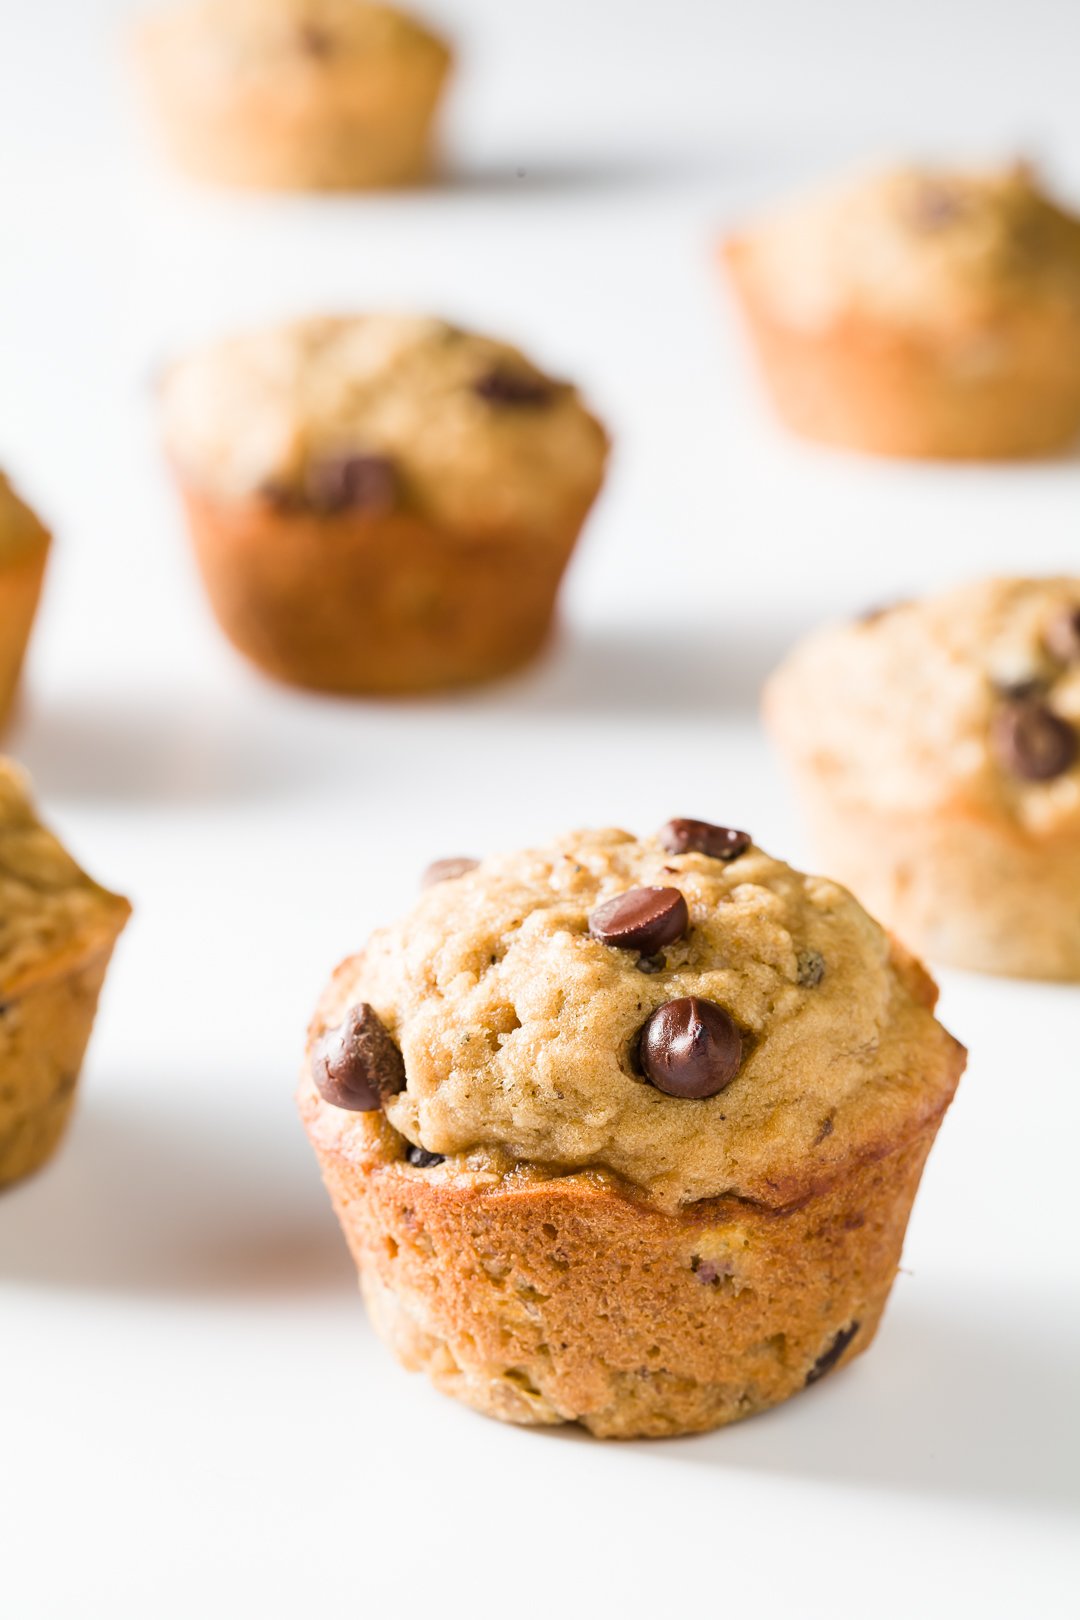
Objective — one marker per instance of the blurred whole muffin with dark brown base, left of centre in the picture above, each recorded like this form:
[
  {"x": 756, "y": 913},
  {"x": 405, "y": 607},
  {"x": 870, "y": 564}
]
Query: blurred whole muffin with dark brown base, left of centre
[{"x": 381, "y": 505}]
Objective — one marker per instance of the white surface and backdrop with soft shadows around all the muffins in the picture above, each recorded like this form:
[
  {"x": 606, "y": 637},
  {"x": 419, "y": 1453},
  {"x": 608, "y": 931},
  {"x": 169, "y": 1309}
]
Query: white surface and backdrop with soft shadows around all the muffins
[{"x": 195, "y": 1418}]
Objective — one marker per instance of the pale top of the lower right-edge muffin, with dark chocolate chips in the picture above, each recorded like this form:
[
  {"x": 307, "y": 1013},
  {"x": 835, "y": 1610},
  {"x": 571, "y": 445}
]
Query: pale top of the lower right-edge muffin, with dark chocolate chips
[{"x": 966, "y": 702}]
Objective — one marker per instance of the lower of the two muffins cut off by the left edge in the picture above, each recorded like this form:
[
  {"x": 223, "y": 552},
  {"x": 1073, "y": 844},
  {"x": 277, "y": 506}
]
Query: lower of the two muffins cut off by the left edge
[{"x": 57, "y": 931}]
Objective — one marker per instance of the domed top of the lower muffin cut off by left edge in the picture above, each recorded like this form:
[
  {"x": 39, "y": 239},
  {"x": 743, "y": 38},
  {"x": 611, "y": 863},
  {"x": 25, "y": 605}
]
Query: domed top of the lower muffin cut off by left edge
[{"x": 51, "y": 913}]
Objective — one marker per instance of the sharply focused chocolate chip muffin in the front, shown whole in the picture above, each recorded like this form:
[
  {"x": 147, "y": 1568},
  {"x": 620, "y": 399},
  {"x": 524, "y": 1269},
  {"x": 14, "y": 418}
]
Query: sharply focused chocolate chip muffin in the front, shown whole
[{"x": 627, "y": 1132}]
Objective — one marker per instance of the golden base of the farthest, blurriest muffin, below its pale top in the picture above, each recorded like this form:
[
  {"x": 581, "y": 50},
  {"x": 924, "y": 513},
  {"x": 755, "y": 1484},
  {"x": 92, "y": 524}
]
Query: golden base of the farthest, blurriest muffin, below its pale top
[{"x": 331, "y": 135}]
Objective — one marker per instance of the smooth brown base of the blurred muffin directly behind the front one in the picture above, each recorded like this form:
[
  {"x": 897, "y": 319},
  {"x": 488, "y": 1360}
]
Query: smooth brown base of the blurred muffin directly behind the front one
[{"x": 375, "y": 603}]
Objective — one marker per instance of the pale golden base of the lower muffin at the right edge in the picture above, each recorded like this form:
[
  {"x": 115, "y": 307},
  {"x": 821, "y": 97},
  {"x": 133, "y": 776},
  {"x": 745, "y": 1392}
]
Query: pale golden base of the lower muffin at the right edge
[{"x": 959, "y": 889}]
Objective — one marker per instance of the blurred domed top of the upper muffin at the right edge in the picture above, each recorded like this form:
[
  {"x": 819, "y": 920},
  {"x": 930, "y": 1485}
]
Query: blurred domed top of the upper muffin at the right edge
[{"x": 921, "y": 247}]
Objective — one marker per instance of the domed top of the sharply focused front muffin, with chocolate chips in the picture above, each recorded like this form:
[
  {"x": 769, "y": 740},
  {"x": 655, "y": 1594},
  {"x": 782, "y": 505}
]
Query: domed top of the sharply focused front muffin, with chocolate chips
[{"x": 738, "y": 1030}]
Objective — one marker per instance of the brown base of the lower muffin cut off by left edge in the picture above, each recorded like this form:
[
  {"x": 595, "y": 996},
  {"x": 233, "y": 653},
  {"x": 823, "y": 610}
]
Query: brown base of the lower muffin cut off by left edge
[{"x": 45, "y": 1033}]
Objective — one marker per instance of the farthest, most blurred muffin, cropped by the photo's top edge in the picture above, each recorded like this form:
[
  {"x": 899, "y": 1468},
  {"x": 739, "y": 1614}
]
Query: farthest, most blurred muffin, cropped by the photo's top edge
[{"x": 296, "y": 95}]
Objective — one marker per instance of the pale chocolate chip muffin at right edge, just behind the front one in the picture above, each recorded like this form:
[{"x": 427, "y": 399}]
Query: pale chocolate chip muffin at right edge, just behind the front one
[{"x": 937, "y": 752}]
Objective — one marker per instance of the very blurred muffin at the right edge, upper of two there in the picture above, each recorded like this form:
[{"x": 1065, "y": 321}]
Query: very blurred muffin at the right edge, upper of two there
[{"x": 921, "y": 312}]
